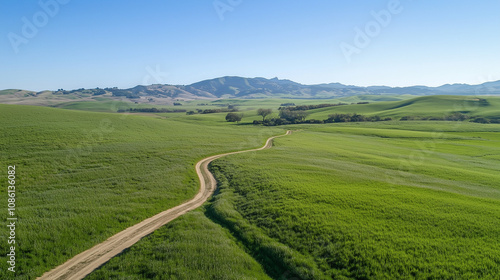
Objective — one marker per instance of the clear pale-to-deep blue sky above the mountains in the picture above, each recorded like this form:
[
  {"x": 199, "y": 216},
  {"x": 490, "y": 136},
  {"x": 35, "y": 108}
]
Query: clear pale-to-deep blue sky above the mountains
[{"x": 86, "y": 43}]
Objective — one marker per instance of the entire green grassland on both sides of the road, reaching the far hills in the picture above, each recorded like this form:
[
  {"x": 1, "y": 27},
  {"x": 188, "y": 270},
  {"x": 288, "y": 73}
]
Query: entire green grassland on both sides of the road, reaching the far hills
[{"x": 372, "y": 200}]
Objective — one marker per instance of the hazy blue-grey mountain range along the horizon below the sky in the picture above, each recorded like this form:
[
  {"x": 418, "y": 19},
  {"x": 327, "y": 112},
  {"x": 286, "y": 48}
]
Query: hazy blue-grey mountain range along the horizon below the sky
[{"x": 250, "y": 88}]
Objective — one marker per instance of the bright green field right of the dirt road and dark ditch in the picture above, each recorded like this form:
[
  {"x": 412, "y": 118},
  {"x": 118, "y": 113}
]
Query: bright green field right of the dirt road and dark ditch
[{"x": 376, "y": 203}]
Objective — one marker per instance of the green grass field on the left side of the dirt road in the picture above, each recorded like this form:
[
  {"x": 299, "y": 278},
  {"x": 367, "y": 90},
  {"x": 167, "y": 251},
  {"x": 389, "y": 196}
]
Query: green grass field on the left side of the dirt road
[{"x": 84, "y": 176}]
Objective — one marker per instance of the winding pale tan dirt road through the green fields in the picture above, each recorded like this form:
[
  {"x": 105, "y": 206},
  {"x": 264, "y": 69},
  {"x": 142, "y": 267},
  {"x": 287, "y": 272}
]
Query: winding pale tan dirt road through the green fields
[{"x": 84, "y": 263}]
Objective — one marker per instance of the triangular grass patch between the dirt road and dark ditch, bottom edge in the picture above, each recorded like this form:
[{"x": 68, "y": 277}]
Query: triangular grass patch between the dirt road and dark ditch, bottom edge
[{"x": 190, "y": 247}]
